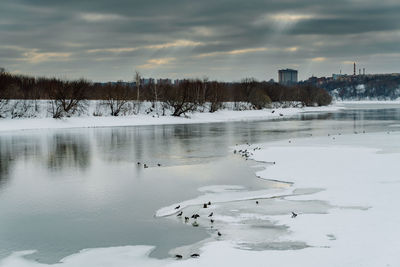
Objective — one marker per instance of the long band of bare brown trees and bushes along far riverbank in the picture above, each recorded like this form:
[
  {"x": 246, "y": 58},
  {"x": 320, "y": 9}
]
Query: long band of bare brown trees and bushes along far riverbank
[{"x": 69, "y": 97}]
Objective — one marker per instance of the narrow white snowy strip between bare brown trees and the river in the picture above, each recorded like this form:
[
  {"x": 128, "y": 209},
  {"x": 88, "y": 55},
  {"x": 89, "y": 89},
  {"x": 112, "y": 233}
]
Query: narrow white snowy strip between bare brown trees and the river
[{"x": 142, "y": 119}]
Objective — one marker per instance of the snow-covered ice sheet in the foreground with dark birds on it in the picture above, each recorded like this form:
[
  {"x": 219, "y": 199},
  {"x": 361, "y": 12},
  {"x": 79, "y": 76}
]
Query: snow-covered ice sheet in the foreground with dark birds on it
[{"x": 344, "y": 189}]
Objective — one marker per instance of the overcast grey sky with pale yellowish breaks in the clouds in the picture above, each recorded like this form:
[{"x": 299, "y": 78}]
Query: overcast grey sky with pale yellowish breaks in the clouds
[{"x": 224, "y": 40}]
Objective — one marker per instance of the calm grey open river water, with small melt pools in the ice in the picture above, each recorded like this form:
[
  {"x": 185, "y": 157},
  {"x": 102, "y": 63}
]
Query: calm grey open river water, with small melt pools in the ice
[{"x": 66, "y": 190}]
